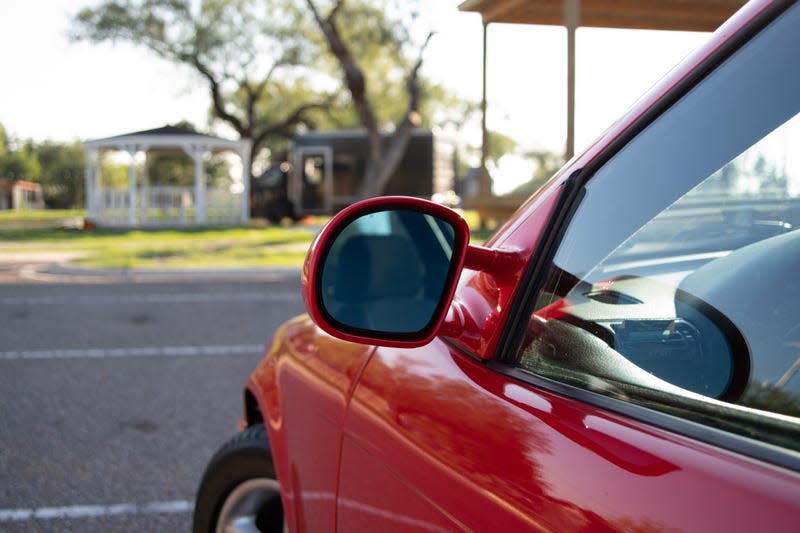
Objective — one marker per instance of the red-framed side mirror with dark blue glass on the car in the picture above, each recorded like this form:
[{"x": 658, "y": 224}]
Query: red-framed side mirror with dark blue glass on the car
[{"x": 383, "y": 271}]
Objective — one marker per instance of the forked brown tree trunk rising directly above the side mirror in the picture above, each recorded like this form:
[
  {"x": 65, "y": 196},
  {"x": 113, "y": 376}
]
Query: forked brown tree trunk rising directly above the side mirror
[{"x": 383, "y": 156}]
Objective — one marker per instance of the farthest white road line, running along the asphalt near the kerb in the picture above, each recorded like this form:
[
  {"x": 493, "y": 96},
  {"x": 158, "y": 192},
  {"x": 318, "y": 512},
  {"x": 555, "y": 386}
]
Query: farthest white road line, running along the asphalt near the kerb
[{"x": 258, "y": 296}]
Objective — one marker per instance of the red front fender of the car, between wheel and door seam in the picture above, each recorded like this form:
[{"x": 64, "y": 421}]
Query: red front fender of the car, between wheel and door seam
[{"x": 303, "y": 385}]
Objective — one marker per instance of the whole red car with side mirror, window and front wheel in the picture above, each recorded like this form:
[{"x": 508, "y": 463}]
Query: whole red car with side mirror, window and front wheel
[{"x": 621, "y": 355}]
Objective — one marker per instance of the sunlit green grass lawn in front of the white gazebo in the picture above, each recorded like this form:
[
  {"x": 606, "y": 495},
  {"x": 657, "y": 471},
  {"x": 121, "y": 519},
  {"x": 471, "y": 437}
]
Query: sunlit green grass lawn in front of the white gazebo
[{"x": 54, "y": 232}]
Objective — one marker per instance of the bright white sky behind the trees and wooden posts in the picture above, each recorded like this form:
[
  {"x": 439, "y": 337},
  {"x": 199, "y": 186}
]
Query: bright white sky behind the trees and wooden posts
[{"x": 53, "y": 89}]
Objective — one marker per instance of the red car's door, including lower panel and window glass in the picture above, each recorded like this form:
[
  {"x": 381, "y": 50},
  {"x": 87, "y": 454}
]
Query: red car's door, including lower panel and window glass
[{"x": 647, "y": 378}]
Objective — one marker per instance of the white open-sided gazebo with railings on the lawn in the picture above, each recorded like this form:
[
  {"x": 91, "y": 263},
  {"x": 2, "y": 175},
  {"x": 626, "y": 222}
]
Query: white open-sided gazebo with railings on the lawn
[{"x": 143, "y": 203}]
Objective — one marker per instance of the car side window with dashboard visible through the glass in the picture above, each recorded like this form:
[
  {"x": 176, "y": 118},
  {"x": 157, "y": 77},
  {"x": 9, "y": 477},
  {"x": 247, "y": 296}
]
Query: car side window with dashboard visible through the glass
[{"x": 676, "y": 283}]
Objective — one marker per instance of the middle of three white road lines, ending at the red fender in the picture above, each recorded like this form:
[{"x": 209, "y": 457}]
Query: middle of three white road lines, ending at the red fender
[{"x": 173, "y": 351}]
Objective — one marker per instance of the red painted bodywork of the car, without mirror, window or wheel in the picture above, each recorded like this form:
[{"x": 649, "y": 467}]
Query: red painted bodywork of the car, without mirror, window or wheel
[{"x": 437, "y": 438}]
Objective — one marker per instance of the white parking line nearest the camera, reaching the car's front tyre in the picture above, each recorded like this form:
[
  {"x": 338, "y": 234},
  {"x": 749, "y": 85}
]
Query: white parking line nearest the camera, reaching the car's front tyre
[{"x": 95, "y": 511}]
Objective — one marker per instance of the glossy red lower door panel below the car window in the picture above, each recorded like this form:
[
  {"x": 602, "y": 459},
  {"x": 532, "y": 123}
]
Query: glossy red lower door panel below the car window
[{"x": 435, "y": 430}]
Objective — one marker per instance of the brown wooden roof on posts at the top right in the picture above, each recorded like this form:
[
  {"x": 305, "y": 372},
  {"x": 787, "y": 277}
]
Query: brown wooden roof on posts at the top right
[{"x": 685, "y": 15}]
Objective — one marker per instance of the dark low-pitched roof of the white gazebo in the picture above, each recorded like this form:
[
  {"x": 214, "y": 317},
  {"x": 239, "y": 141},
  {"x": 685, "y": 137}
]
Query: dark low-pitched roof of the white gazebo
[{"x": 165, "y": 137}]
